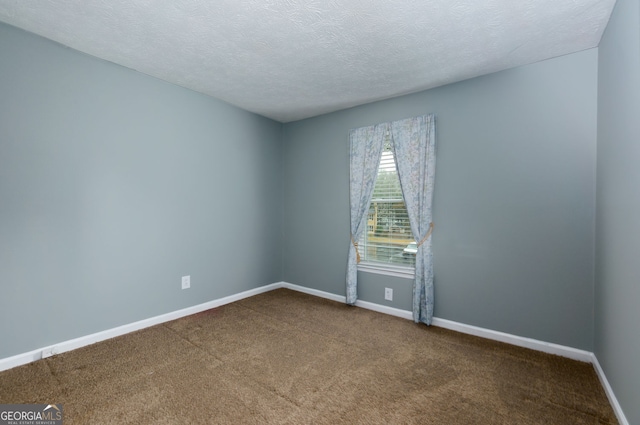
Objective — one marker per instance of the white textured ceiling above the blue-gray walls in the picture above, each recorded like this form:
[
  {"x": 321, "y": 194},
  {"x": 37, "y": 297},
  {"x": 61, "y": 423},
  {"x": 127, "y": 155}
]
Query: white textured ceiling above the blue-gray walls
[{"x": 292, "y": 59}]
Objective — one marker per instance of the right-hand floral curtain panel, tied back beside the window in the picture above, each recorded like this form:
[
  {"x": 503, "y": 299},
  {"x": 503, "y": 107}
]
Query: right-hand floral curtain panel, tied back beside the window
[{"x": 414, "y": 151}]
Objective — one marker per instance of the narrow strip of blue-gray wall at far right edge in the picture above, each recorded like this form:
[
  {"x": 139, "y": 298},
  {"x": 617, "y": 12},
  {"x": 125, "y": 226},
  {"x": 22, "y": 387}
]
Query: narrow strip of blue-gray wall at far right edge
[{"x": 617, "y": 334}]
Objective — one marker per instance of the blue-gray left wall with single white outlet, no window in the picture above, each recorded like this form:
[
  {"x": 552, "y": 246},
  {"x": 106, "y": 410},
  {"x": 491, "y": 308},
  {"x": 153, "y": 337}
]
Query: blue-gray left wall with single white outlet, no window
[{"x": 113, "y": 185}]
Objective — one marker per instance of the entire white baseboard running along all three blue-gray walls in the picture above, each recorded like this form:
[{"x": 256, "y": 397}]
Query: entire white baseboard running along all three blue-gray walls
[{"x": 546, "y": 347}]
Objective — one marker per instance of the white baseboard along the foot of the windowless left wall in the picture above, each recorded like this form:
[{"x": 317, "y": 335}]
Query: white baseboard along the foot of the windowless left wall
[{"x": 31, "y": 356}]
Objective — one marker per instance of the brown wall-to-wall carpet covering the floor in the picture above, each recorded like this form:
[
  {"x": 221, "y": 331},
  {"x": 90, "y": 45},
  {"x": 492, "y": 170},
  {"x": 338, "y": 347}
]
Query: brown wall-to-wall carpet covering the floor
[{"x": 288, "y": 358}]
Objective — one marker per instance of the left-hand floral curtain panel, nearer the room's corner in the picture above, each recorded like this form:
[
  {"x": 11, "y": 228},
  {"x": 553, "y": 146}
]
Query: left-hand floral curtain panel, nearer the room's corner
[{"x": 366, "y": 149}]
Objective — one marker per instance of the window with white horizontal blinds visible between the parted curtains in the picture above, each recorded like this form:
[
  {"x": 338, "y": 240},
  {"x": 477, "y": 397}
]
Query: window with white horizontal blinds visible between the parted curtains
[{"x": 388, "y": 242}]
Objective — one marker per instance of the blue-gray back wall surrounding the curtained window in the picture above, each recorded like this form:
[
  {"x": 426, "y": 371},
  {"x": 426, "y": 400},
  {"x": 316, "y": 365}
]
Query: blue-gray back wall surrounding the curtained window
[{"x": 513, "y": 208}]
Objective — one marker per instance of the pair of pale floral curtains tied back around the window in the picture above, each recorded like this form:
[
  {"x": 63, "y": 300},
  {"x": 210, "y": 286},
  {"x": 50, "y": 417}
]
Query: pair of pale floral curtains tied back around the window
[{"x": 413, "y": 144}]
